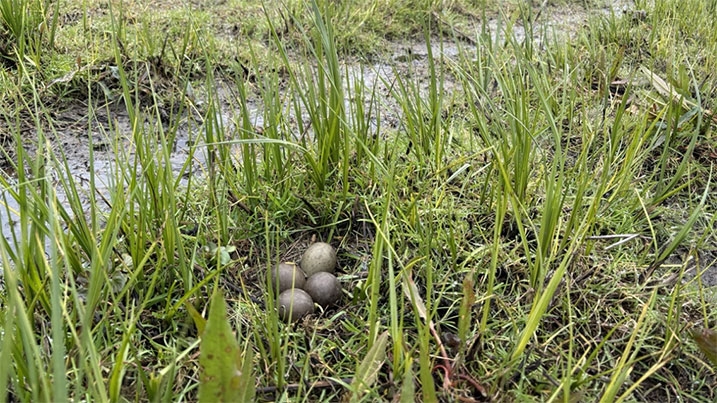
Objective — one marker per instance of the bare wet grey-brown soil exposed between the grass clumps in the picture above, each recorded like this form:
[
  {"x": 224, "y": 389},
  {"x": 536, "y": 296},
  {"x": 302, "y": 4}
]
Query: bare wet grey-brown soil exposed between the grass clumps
[{"x": 407, "y": 58}]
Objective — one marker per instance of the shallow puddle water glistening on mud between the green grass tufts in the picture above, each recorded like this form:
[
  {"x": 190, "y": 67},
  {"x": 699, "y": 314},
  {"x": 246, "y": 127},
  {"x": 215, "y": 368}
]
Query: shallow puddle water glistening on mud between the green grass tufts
[{"x": 409, "y": 61}]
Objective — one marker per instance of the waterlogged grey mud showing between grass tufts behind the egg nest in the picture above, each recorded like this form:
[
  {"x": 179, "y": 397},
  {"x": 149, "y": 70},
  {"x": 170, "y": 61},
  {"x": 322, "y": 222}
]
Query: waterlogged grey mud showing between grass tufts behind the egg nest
[{"x": 80, "y": 135}]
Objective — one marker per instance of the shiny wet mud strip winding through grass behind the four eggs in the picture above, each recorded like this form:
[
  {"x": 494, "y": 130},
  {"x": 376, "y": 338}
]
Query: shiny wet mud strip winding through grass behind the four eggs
[{"x": 76, "y": 133}]
